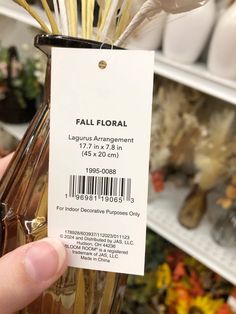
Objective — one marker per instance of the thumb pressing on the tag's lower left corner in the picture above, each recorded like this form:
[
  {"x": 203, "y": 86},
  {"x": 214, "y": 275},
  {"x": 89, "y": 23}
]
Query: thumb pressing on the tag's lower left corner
[{"x": 27, "y": 271}]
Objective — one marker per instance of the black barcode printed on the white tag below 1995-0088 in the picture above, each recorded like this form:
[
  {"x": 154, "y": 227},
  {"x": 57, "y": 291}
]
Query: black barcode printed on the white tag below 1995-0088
[{"x": 100, "y": 186}]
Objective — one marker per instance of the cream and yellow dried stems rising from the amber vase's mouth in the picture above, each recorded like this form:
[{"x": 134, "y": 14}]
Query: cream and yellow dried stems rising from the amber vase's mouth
[{"x": 112, "y": 21}]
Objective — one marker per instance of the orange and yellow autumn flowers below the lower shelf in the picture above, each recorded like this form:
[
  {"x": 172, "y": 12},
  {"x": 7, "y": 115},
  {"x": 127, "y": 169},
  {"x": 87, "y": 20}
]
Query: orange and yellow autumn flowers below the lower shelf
[{"x": 176, "y": 283}]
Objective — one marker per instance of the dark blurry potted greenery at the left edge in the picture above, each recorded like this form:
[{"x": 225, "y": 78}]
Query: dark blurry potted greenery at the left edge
[{"x": 21, "y": 85}]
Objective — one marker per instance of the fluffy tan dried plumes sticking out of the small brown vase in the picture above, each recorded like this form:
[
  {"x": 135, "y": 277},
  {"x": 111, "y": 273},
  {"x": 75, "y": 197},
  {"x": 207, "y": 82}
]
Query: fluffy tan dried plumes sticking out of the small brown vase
[{"x": 215, "y": 154}]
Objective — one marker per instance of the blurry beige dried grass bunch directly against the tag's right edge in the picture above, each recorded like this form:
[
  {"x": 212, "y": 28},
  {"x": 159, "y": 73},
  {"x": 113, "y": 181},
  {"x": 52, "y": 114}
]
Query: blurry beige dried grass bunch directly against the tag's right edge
[{"x": 174, "y": 122}]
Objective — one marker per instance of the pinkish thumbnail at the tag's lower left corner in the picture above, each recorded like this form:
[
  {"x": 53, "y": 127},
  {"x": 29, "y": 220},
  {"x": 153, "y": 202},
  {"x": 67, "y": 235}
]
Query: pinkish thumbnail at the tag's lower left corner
[{"x": 44, "y": 259}]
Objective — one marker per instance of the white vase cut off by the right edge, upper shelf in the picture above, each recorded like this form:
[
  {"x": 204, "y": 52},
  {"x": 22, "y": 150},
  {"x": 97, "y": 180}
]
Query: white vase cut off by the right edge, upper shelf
[{"x": 221, "y": 58}]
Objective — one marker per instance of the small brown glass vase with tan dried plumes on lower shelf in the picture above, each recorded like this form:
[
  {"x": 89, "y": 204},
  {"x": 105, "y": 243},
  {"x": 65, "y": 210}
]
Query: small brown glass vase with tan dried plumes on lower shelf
[{"x": 214, "y": 160}]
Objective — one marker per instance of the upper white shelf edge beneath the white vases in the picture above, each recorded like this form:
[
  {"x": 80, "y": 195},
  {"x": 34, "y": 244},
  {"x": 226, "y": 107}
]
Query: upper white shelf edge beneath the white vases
[{"x": 196, "y": 76}]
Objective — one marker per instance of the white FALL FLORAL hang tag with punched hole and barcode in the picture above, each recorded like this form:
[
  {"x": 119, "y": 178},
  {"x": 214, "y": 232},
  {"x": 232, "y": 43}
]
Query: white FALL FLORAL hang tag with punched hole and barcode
[{"x": 99, "y": 156}]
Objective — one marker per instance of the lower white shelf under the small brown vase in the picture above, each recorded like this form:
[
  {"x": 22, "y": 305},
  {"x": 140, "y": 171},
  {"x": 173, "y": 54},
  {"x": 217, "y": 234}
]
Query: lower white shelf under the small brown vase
[{"x": 162, "y": 218}]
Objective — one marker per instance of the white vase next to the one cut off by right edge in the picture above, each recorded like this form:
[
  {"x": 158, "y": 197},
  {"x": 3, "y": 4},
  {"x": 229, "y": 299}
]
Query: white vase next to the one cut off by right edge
[{"x": 186, "y": 34}]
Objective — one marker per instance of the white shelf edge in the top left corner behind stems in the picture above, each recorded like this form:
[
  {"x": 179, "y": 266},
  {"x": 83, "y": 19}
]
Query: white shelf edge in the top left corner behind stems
[{"x": 10, "y": 9}]
